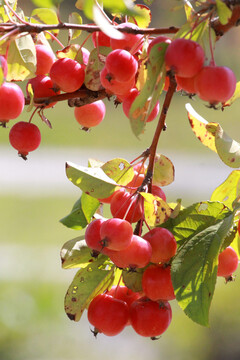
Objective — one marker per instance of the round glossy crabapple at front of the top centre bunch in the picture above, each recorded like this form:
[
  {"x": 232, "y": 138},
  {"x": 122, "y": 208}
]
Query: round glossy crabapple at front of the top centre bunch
[{"x": 121, "y": 65}]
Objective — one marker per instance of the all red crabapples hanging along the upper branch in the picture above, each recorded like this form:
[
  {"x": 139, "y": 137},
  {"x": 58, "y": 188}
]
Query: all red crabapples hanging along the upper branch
[{"x": 184, "y": 58}]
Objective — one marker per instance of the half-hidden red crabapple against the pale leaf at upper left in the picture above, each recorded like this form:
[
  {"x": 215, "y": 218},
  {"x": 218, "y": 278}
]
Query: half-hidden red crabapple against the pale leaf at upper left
[{"x": 45, "y": 59}]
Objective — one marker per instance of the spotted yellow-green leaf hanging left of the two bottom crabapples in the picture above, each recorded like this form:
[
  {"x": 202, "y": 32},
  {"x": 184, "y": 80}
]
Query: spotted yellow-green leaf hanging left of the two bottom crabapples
[{"x": 87, "y": 283}]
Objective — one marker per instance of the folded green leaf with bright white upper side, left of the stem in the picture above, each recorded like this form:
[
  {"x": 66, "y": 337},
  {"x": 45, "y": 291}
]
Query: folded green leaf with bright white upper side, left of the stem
[{"x": 92, "y": 181}]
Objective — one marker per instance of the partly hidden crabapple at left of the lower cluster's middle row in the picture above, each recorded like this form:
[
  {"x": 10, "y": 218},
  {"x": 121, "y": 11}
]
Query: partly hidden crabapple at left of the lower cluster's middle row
[{"x": 92, "y": 235}]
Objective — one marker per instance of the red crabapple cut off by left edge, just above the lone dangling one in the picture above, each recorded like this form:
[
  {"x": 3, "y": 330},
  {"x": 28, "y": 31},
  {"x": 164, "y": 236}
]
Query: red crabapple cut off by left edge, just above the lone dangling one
[{"x": 11, "y": 101}]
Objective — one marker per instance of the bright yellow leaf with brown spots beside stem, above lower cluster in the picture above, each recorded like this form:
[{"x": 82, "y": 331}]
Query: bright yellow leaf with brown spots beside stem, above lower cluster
[{"x": 156, "y": 210}]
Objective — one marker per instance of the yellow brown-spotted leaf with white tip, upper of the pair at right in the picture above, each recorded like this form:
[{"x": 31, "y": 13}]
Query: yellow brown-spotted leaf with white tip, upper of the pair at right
[{"x": 198, "y": 125}]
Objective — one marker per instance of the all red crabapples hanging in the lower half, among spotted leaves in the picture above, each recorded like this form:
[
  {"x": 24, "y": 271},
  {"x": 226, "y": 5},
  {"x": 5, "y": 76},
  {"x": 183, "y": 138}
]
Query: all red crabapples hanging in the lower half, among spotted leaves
[{"x": 148, "y": 311}]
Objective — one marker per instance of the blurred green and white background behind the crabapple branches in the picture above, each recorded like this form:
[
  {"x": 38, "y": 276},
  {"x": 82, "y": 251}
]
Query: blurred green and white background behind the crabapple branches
[{"x": 36, "y": 194}]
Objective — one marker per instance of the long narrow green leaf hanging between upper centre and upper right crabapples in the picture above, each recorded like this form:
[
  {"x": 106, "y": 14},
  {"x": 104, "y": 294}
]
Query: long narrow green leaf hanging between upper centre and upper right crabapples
[{"x": 148, "y": 97}]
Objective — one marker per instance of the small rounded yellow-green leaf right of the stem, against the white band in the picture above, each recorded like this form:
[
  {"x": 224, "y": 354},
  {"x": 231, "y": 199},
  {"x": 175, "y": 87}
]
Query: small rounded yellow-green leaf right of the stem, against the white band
[{"x": 163, "y": 171}]
